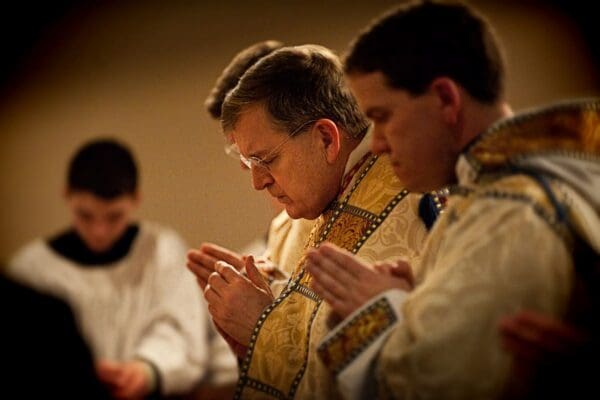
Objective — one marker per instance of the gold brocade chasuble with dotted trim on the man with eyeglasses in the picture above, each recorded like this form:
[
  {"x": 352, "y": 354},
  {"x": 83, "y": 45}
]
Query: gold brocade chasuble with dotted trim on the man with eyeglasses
[{"x": 375, "y": 218}]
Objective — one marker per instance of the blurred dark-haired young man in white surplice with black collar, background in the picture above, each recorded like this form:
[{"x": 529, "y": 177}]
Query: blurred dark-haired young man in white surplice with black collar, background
[{"x": 140, "y": 312}]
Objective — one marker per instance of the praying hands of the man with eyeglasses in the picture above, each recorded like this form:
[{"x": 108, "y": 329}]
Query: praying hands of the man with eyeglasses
[{"x": 235, "y": 301}]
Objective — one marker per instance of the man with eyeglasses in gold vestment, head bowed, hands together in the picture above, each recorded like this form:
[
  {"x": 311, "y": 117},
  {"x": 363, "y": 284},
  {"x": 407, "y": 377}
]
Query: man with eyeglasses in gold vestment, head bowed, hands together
[{"x": 299, "y": 131}]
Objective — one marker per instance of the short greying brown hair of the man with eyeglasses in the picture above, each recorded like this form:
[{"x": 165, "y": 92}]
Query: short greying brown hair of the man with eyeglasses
[{"x": 296, "y": 85}]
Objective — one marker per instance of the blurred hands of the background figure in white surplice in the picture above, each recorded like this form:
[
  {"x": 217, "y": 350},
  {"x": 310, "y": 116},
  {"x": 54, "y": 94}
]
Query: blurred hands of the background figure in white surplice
[{"x": 125, "y": 380}]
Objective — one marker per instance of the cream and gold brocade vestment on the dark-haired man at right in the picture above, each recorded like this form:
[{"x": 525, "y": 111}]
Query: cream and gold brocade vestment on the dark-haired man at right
[{"x": 500, "y": 246}]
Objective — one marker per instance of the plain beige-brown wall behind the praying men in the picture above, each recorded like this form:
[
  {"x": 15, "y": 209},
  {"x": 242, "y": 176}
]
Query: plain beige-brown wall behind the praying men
[{"x": 141, "y": 70}]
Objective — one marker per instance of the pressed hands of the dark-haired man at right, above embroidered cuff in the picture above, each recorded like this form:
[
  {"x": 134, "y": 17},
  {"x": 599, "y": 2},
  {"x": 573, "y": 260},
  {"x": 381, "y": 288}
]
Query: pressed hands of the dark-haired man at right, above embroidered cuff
[{"x": 346, "y": 283}]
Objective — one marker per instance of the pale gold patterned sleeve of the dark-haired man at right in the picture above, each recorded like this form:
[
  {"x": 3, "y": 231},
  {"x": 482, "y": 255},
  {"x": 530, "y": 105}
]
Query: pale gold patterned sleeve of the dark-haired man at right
[{"x": 499, "y": 257}]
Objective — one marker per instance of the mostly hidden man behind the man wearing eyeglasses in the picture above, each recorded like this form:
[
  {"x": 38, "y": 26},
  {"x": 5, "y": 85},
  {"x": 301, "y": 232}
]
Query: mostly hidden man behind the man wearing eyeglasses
[{"x": 278, "y": 251}]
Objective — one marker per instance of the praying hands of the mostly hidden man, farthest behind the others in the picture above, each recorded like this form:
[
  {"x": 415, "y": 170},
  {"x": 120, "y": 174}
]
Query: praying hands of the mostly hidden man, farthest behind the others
[{"x": 202, "y": 261}]
